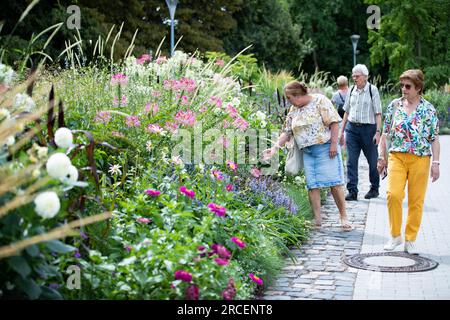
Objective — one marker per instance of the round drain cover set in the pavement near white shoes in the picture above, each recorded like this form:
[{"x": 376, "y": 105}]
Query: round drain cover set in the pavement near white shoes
[{"x": 396, "y": 261}]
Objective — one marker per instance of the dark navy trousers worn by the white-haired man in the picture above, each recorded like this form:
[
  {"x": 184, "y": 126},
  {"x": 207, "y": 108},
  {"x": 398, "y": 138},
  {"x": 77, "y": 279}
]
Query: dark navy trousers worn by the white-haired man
[{"x": 360, "y": 137}]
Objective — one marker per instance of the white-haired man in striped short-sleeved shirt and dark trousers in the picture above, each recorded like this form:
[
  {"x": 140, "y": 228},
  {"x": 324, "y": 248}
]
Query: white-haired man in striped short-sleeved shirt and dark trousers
[{"x": 362, "y": 127}]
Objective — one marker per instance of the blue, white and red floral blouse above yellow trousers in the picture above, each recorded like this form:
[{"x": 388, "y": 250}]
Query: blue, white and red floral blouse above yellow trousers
[{"x": 414, "y": 133}]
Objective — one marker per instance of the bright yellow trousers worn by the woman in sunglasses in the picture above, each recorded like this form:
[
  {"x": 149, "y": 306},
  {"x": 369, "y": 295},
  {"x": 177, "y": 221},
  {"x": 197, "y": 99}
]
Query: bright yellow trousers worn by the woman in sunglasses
[{"x": 415, "y": 169}]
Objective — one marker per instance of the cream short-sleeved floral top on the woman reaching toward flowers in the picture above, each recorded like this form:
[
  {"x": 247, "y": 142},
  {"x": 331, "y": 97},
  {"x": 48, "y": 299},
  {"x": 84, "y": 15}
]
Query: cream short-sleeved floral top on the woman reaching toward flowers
[{"x": 310, "y": 124}]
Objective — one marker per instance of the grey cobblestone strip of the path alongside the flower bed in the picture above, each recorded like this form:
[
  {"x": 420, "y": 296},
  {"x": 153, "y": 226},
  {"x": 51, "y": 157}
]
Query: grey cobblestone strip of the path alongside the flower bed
[{"x": 319, "y": 272}]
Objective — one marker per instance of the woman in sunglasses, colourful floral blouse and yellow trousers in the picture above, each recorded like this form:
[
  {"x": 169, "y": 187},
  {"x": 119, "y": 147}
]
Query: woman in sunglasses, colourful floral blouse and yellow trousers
[{"x": 412, "y": 126}]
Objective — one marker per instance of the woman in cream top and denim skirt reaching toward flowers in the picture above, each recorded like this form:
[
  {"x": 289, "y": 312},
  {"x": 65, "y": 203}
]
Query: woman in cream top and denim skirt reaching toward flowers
[{"x": 314, "y": 123}]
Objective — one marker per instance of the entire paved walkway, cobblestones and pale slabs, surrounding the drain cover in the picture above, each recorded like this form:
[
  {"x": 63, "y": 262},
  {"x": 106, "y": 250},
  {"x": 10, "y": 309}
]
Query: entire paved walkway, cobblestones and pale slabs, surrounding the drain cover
[{"x": 320, "y": 274}]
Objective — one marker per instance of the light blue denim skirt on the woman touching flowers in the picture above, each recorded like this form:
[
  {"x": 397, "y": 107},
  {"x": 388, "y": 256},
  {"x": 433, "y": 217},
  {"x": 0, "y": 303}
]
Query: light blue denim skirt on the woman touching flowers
[{"x": 320, "y": 170}]
